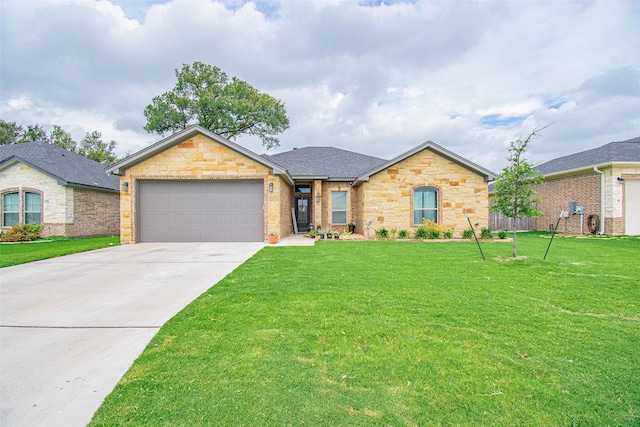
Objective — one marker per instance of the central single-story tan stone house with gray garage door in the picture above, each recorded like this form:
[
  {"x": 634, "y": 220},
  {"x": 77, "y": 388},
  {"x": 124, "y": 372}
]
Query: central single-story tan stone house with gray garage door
[{"x": 198, "y": 186}]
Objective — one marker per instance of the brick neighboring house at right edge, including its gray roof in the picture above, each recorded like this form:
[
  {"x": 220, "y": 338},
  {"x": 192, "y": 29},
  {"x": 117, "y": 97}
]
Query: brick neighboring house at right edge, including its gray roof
[{"x": 605, "y": 180}]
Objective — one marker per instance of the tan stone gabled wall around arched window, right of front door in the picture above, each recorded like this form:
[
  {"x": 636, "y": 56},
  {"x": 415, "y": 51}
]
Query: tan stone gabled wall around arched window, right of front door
[{"x": 387, "y": 199}]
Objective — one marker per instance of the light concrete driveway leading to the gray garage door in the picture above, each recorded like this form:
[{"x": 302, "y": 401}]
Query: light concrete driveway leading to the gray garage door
[{"x": 72, "y": 326}]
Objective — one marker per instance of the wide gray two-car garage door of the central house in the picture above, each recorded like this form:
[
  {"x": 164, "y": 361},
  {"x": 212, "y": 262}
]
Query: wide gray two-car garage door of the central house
[{"x": 201, "y": 211}]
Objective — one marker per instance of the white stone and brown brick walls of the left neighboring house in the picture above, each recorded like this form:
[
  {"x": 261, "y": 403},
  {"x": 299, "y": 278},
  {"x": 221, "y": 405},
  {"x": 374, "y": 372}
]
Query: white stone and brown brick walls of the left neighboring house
[{"x": 65, "y": 211}]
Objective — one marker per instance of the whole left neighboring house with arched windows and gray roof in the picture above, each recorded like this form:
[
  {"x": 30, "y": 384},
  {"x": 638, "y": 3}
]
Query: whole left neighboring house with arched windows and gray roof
[{"x": 67, "y": 193}]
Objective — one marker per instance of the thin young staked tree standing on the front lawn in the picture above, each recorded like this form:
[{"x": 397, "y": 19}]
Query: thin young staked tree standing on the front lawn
[{"x": 513, "y": 191}]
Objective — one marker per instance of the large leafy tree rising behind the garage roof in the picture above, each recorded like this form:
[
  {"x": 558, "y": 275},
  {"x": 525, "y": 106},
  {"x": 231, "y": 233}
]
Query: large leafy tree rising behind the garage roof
[{"x": 229, "y": 107}]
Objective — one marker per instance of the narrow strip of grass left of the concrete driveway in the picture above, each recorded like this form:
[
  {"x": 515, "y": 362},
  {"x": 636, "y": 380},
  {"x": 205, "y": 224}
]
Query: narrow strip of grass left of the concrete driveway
[{"x": 21, "y": 253}]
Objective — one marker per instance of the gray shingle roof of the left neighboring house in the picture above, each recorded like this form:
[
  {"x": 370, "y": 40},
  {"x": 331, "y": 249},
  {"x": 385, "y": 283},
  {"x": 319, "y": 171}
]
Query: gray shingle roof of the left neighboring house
[{"x": 66, "y": 167}]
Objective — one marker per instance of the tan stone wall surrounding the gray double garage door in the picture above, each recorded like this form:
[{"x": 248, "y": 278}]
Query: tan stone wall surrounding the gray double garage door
[{"x": 203, "y": 158}]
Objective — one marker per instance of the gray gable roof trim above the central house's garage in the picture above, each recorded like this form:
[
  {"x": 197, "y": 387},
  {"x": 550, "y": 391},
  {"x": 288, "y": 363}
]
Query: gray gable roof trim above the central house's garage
[{"x": 184, "y": 135}]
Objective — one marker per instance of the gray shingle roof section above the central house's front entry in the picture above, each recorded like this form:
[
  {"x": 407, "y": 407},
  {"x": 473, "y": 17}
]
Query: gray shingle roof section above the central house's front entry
[{"x": 325, "y": 162}]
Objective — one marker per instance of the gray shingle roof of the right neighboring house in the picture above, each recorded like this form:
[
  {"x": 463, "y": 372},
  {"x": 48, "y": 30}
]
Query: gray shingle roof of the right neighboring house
[{"x": 622, "y": 151}]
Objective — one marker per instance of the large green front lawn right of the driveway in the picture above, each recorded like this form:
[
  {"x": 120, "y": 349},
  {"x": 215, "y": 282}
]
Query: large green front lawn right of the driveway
[{"x": 399, "y": 333}]
